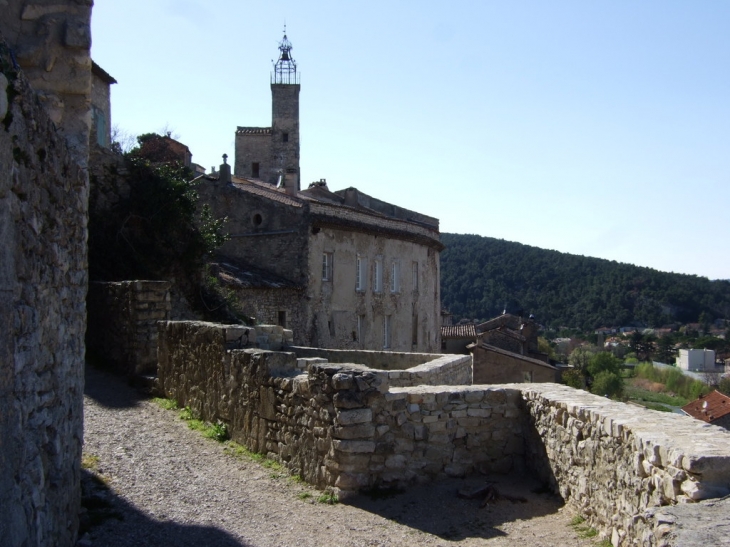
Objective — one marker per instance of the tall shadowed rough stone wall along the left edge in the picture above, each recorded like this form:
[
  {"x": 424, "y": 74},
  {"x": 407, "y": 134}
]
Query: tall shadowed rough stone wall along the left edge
[{"x": 43, "y": 201}]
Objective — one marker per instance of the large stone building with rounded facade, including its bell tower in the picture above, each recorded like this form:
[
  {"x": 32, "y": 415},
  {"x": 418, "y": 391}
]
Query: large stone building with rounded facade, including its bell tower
[{"x": 341, "y": 269}]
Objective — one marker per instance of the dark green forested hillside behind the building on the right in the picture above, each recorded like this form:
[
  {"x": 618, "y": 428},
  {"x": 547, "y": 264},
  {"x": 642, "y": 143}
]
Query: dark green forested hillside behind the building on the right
[{"x": 480, "y": 276}]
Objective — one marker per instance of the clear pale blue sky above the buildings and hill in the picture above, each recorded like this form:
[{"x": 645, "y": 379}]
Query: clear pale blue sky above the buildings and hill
[{"x": 595, "y": 128}]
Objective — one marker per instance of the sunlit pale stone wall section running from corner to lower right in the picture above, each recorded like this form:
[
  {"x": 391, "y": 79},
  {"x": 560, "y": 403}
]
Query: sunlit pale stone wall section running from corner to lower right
[{"x": 616, "y": 462}]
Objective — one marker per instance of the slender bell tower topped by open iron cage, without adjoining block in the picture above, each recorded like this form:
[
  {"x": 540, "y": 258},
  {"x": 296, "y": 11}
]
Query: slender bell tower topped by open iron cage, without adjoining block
[{"x": 285, "y": 119}]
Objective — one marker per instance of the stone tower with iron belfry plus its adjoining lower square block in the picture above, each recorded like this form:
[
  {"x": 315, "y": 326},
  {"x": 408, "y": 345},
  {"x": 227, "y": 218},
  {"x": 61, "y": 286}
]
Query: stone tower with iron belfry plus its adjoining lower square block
[{"x": 271, "y": 154}]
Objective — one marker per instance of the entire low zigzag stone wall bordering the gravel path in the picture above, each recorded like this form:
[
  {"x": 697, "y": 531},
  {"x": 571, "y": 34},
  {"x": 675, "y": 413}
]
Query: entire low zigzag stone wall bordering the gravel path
[{"x": 345, "y": 427}]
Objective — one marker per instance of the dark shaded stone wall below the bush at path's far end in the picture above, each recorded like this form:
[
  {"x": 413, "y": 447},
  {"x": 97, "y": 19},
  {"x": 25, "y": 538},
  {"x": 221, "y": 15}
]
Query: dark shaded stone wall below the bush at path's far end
[{"x": 123, "y": 322}]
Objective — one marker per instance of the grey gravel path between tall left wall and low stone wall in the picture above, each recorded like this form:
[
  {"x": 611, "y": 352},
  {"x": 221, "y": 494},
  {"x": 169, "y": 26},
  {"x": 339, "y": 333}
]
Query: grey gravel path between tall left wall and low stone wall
[{"x": 154, "y": 482}]
